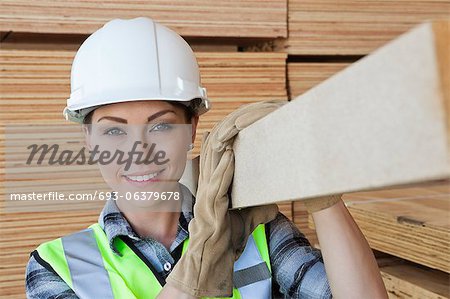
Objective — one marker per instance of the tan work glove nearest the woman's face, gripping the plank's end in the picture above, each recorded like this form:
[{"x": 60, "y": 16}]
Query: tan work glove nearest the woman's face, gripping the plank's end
[{"x": 217, "y": 235}]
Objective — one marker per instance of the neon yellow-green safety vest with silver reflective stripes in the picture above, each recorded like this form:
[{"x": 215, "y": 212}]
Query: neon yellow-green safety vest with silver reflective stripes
[{"x": 85, "y": 261}]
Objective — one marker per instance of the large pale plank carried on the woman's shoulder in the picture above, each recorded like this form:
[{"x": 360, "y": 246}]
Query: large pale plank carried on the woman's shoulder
[{"x": 383, "y": 121}]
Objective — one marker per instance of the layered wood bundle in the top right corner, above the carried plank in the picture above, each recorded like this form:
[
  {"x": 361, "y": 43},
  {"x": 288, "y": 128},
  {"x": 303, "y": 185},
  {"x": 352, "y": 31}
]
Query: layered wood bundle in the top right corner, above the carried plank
[{"x": 353, "y": 27}]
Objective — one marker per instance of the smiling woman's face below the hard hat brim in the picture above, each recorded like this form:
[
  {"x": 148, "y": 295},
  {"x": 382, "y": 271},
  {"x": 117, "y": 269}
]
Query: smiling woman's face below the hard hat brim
[{"x": 152, "y": 137}]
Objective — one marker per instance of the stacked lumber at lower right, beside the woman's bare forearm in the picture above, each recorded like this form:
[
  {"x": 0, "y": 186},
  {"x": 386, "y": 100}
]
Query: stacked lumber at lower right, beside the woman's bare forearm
[{"x": 409, "y": 229}]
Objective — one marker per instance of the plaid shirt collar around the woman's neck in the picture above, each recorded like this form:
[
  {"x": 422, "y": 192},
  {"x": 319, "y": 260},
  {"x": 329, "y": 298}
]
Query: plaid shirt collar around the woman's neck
[{"x": 115, "y": 224}]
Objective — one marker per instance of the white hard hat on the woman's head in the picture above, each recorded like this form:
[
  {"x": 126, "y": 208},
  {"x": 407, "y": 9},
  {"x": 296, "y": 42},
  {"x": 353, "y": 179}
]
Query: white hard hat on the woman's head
[{"x": 131, "y": 60}]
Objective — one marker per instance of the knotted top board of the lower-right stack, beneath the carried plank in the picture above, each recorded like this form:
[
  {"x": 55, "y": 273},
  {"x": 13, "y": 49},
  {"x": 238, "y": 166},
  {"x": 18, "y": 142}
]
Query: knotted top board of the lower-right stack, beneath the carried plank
[{"x": 411, "y": 223}]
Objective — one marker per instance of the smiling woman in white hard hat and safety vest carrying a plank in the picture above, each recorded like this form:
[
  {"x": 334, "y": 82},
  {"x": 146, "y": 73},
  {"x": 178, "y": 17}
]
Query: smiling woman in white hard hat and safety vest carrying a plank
[{"x": 135, "y": 82}]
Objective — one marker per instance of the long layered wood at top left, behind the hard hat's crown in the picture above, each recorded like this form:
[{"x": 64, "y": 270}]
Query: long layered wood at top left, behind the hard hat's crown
[{"x": 197, "y": 18}]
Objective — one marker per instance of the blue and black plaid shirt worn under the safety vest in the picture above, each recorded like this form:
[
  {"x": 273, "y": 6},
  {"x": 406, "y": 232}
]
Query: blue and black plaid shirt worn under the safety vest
[{"x": 297, "y": 268}]
